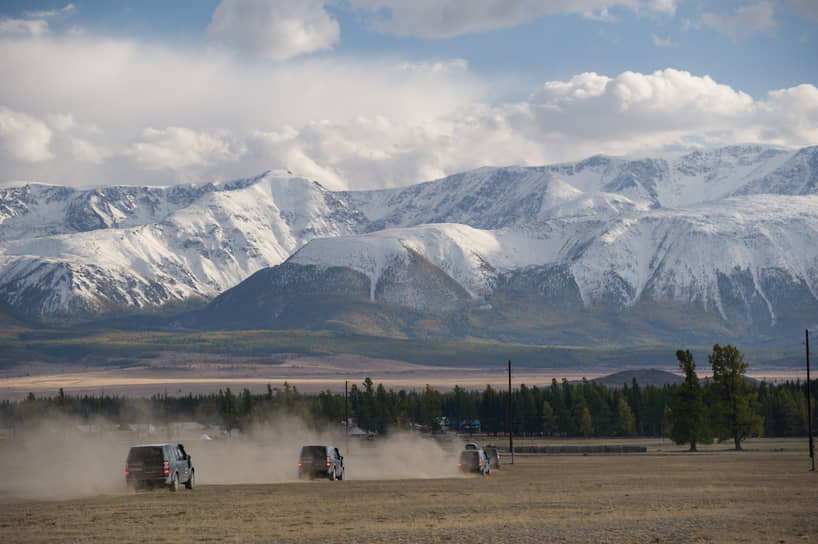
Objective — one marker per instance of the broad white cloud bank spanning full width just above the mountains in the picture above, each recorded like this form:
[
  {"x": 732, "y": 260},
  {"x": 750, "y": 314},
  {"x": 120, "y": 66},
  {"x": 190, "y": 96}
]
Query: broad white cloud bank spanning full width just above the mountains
[{"x": 345, "y": 123}]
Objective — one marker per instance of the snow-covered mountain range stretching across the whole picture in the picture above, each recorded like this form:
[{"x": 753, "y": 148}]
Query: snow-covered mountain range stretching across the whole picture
[{"x": 728, "y": 234}]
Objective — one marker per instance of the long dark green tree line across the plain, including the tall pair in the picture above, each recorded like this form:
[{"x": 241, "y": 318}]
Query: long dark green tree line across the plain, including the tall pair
[{"x": 727, "y": 406}]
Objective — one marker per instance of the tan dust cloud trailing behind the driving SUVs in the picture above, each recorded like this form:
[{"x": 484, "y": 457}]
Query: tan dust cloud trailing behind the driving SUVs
[{"x": 63, "y": 459}]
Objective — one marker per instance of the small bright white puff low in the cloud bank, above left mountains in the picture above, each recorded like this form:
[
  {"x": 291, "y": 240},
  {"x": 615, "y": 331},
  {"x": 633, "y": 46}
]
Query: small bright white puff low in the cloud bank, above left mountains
[{"x": 179, "y": 148}]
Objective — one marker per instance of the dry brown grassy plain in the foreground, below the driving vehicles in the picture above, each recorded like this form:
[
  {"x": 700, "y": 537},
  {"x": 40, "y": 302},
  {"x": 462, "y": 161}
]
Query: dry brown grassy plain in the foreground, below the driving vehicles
[{"x": 712, "y": 497}]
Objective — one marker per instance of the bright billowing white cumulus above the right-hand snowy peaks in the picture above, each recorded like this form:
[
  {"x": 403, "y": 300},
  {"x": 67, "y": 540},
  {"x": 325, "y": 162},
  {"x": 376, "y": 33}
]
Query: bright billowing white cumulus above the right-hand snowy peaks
[{"x": 641, "y": 113}]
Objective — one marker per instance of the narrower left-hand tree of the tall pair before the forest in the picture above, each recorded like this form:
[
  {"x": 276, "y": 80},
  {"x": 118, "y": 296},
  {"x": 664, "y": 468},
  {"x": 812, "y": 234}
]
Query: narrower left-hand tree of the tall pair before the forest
[{"x": 688, "y": 414}]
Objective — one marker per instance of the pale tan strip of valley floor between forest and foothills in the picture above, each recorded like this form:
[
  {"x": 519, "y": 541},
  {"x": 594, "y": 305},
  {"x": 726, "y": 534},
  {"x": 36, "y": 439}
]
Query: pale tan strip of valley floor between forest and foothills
[{"x": 178, "y": 374}]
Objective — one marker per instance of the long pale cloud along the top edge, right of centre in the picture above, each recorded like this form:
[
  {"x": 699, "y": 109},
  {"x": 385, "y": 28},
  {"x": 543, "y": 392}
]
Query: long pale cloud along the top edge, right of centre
[{"x": 447, "y": 18}]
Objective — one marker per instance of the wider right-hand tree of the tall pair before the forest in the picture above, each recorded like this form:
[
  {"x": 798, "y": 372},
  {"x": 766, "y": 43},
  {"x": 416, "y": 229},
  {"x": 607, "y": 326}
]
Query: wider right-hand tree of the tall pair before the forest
[{"x": 733, "y": 413}]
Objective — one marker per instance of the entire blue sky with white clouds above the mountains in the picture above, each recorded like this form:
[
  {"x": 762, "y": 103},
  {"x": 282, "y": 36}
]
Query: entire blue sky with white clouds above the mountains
[{"x": 372, "y": 93}]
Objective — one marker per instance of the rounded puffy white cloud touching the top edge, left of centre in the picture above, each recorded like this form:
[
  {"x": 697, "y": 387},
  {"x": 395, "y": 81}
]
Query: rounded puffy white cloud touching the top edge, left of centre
[{"x": 277, "y": 30}]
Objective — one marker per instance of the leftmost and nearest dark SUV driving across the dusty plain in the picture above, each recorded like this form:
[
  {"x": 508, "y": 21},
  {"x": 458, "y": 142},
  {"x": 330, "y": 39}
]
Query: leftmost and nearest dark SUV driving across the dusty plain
[{"x": 152, "y": 465}]
